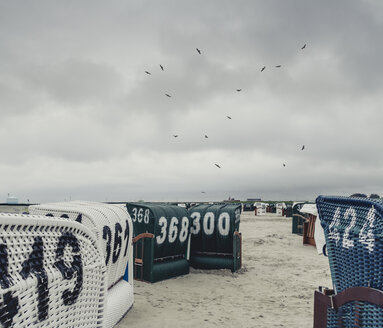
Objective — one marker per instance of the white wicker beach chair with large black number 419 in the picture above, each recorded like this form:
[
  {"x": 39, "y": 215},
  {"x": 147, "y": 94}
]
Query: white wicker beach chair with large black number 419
[{"x": 51, "y": 273}]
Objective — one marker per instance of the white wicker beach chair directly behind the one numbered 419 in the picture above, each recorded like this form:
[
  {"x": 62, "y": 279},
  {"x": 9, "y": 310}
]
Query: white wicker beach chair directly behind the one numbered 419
[{"x": 113, "y": 228}]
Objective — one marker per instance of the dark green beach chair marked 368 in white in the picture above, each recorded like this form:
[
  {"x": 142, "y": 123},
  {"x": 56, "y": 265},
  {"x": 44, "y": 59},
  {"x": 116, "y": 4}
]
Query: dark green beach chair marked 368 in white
[{"x": 164, "y": 256}]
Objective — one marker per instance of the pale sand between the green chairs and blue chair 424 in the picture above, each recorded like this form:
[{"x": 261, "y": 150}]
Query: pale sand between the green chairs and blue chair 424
[{"x": 274, "y": 288}]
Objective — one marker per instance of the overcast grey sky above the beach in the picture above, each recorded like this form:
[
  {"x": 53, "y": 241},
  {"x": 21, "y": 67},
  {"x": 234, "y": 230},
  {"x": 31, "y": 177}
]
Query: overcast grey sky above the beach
[{"x": 80, "y": 118}]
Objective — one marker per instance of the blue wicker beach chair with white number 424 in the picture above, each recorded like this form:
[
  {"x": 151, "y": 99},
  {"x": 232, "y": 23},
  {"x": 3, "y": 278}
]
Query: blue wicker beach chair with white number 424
[{"x": 353, "y": 230}]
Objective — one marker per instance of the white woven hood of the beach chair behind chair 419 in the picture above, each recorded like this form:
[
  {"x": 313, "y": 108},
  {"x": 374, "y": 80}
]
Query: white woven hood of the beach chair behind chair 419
[{"x": 110, "y": 223}]
